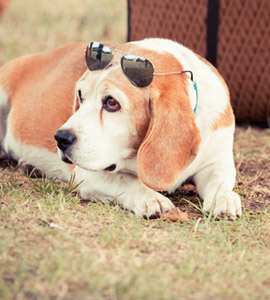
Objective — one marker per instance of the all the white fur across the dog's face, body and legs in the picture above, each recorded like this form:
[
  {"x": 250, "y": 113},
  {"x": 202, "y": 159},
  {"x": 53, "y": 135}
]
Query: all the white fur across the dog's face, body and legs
[{"x": 107, "y": 140}]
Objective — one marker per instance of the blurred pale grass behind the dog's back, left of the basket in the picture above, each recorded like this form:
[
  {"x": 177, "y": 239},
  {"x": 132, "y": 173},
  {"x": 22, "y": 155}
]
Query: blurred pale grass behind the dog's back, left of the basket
[{"x": 28, "y": 26}]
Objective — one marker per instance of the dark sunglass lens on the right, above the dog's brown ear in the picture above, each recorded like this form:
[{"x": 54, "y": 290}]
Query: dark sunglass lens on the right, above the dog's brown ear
[{"x": 138, "y": 70}]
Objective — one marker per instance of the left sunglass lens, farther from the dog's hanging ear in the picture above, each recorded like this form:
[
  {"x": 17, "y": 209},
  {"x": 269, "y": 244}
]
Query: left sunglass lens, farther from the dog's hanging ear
[{"x": 97, "y": 56}]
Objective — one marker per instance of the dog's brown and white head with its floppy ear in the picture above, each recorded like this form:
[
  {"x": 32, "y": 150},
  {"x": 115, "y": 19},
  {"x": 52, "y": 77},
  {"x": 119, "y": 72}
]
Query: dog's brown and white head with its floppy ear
[{"x": 114, "y": 121}]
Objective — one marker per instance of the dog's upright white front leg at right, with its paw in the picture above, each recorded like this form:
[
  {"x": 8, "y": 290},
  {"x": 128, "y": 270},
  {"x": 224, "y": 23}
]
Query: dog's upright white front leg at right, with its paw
[{"x": 214, "y": 173}]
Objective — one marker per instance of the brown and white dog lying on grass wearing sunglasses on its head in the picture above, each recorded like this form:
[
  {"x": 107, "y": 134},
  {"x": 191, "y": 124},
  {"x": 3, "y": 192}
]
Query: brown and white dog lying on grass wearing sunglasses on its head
[{"x": 146, "y": 117}]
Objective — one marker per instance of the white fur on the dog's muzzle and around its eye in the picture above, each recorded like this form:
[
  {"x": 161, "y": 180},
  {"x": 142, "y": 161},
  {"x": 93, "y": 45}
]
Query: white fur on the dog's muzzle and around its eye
[{"x": 100, "y": 143}]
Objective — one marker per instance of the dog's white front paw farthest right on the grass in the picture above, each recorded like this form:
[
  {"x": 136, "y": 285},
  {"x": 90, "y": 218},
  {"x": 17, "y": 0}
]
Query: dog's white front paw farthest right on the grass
[{"x": 225, "y": 203}]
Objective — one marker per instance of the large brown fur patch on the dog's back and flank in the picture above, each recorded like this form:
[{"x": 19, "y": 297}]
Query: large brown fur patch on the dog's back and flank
[{"x": 41, "y": 89}]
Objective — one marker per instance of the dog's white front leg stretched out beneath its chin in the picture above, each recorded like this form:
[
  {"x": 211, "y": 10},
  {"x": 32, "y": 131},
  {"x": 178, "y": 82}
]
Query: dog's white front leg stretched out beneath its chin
[{"x": 125, "y": 189}]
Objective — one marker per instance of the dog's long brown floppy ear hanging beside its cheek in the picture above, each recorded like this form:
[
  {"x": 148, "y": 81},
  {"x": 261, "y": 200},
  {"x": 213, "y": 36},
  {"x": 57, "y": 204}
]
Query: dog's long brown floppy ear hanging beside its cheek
[{"x": 172, "y": 140}]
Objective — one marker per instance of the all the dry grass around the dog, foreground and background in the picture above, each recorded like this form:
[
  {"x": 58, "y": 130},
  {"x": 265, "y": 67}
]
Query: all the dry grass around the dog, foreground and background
[{"x": 55, "y": 246}]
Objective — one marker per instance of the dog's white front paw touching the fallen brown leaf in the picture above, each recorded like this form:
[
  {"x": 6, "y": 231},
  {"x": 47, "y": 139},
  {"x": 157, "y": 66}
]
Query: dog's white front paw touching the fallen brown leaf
[{"x": 150, "y": 206}]
